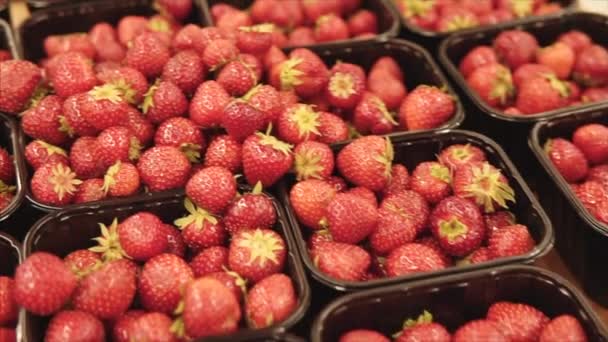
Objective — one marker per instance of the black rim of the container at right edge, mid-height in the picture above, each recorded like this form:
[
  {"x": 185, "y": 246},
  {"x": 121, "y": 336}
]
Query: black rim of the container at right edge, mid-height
[{"x": 538, "y": 150}]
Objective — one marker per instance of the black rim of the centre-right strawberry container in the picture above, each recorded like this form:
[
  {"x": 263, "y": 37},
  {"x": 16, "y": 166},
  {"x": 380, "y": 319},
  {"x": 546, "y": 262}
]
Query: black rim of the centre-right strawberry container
[{"x": 541, "y": 248}]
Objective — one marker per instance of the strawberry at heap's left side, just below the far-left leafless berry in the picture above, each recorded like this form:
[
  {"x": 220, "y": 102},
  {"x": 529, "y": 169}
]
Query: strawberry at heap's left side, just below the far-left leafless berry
[{"x": 43, "y": 121}]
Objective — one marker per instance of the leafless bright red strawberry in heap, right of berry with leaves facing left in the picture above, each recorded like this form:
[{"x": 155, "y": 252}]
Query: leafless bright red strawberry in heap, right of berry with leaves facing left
[{"x": 207, "y": 105}]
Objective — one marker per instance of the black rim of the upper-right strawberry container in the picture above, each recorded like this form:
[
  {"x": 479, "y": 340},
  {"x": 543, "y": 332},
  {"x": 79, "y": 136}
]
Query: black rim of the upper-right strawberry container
[{"x": 524, "y": 24}]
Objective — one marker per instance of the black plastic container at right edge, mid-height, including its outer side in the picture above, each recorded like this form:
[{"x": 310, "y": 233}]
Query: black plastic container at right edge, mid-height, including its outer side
[{"x": 581, "y": 240}]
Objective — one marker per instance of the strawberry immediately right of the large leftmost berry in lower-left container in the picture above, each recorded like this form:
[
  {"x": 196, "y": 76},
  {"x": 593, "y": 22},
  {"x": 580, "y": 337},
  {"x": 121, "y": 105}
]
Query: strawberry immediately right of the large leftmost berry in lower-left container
[{"x": 108, "y": 292}]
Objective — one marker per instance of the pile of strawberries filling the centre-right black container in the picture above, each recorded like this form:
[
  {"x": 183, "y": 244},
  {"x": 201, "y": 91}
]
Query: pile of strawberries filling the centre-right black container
[{"x": 390, "y": 223}]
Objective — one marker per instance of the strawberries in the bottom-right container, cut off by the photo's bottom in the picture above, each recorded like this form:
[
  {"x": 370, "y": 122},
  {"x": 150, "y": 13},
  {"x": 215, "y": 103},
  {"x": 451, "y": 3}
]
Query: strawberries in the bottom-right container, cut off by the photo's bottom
[{"x": 505, "y": 321}]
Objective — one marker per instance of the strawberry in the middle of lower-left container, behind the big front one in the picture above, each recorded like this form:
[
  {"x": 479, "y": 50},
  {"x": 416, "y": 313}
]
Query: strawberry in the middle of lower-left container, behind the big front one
[{"x": 162, "y": 281}]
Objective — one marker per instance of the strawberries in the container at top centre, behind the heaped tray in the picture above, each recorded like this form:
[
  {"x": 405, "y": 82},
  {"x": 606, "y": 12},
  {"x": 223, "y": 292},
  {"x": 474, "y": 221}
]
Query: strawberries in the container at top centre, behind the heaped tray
[{"x": 301, "y": 22}]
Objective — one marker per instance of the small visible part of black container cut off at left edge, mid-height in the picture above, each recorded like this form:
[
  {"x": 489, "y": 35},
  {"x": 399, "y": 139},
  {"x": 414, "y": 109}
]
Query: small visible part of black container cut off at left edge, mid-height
[{"x": 10, "y": 138}]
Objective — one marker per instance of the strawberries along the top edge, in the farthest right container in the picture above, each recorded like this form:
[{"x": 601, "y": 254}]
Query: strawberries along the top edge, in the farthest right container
[{"x": 452, "y": 15}]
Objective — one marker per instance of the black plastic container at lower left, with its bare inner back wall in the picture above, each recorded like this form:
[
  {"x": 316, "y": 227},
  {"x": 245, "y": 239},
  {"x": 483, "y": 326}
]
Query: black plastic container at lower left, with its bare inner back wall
[{"x": 67, "y": 230}]
